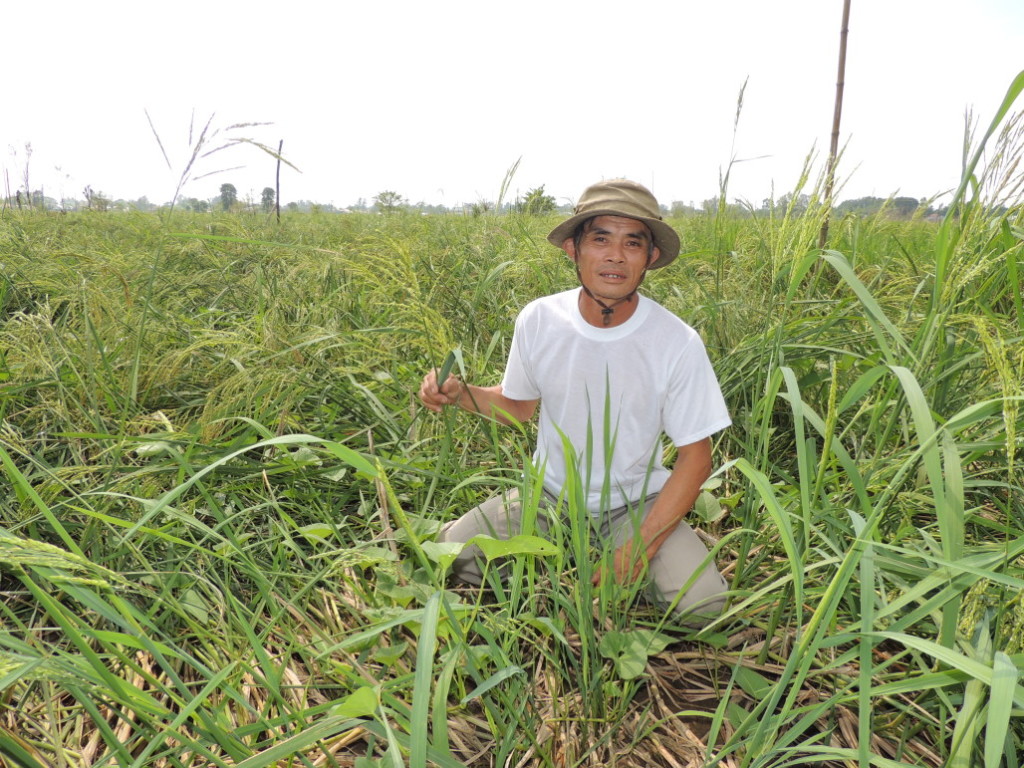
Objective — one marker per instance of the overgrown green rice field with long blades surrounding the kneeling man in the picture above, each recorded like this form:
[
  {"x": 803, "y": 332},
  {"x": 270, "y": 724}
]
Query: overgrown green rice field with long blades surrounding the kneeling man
[{"x": 220, "y": 495}]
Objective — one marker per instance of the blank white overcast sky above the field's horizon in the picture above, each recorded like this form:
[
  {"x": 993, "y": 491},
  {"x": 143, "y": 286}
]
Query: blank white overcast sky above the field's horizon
[{"x": 436, "y": 100}]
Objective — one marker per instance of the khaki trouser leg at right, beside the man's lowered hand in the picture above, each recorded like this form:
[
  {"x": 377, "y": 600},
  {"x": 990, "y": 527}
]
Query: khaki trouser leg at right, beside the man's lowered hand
[{"x": 677, "y": 561}]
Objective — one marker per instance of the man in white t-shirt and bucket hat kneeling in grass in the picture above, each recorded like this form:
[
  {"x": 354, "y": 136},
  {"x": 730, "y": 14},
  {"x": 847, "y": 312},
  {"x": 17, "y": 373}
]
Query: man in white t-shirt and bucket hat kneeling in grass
[{"x": 599, "y": 355}]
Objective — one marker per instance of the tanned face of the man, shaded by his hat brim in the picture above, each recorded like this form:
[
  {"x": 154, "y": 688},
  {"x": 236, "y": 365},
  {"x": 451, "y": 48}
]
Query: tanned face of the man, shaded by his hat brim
[{"x": 613, "y": 255}]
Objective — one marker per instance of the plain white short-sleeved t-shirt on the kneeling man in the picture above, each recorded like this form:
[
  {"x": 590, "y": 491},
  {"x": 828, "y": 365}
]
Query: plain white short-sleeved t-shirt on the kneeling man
[{"x": 649, "y": 376}]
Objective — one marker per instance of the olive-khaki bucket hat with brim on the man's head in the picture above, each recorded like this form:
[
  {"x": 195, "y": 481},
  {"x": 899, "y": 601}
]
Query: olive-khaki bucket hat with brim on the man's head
[{"x": 622, "y": 198}]
